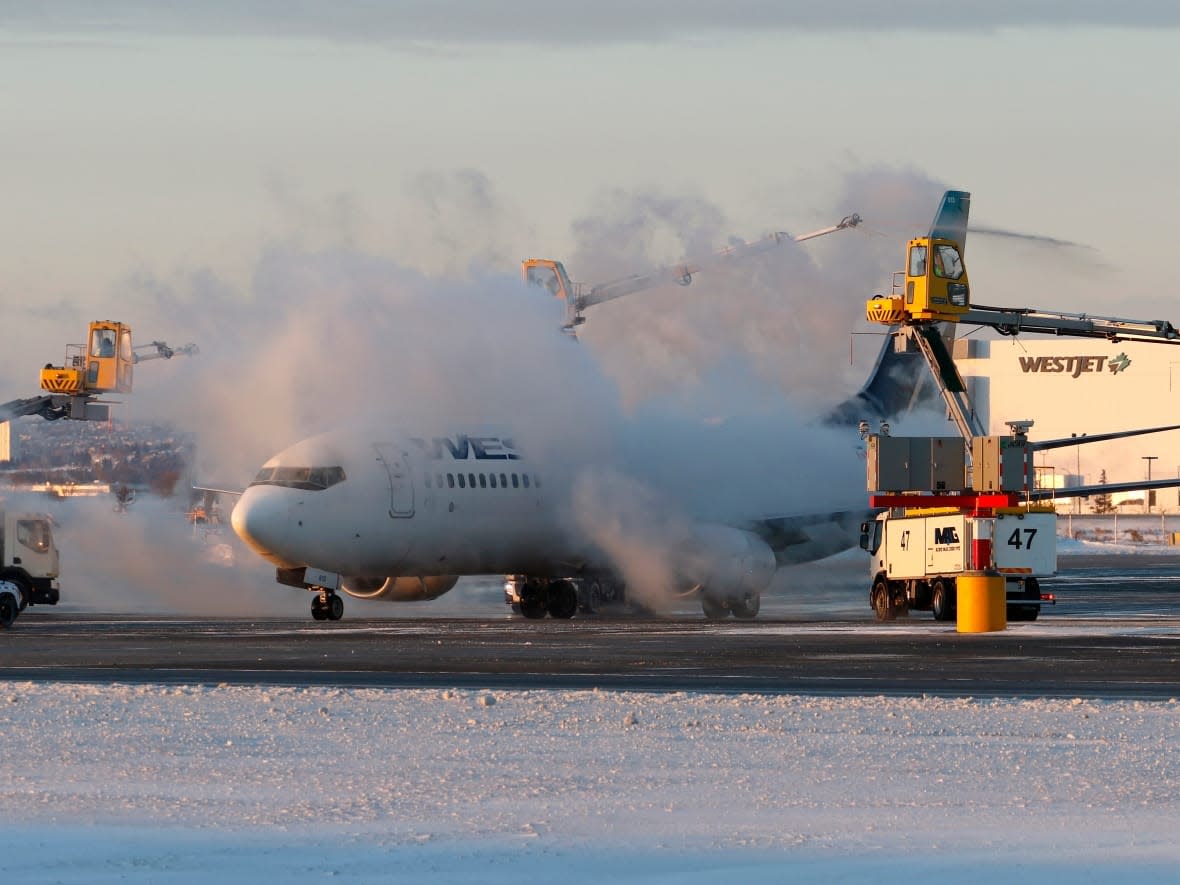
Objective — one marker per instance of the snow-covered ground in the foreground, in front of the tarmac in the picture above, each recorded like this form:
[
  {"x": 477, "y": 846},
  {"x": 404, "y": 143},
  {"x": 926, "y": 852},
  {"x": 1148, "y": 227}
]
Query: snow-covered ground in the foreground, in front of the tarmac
[{"x": 110, "y": 784}]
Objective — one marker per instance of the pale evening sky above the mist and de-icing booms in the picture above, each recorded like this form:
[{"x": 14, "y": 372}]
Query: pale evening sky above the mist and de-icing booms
[{"x": 167, "y": 141}]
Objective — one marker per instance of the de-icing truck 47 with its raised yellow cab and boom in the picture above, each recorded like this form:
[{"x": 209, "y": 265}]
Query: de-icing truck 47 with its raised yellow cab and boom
[{"x": 968, "y": 506}]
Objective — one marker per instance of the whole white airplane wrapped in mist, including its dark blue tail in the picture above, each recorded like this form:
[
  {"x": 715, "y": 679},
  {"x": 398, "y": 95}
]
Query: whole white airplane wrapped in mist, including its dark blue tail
[{"x": 401, "y": 514}]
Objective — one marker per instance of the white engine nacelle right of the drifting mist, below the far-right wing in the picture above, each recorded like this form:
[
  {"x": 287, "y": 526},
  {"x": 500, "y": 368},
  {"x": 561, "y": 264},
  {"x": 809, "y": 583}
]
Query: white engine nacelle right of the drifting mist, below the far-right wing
[{"x": 727, "y": 562}]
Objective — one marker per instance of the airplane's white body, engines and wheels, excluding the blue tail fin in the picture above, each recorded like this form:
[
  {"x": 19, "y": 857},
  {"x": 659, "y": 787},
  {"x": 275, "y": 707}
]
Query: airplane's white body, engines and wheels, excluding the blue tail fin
[{"x": 402, "y": 519}]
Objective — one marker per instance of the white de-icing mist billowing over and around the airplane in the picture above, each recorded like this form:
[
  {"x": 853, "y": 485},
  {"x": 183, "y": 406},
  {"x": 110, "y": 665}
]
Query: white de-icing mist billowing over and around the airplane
[{"x": 674, "y": 407}]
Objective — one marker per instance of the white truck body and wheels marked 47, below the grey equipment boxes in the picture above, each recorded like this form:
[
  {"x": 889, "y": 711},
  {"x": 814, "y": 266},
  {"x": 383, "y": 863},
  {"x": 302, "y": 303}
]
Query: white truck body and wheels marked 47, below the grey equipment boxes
[{"x": 916, "y": 560}]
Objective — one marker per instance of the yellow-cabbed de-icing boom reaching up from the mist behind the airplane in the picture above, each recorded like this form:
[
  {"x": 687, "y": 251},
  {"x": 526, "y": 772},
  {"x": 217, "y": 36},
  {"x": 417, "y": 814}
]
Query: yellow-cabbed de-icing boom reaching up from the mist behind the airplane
[{"x": 552, "y": 274}]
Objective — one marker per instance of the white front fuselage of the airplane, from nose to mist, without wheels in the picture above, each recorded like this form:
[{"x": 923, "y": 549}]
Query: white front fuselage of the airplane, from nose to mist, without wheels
[{"x": 462, "y": 504}]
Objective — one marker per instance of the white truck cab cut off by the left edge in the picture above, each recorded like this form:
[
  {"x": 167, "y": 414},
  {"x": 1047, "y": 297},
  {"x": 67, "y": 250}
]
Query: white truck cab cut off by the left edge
[{"x": 30, "y": 565}]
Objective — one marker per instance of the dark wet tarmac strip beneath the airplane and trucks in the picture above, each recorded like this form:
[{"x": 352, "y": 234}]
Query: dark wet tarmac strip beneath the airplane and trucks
[{"x": 1116, "y": 633}]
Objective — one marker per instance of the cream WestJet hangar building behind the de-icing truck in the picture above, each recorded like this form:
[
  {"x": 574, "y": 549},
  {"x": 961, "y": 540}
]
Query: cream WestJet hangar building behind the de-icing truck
[{"x": 1081, "y": 388}]
